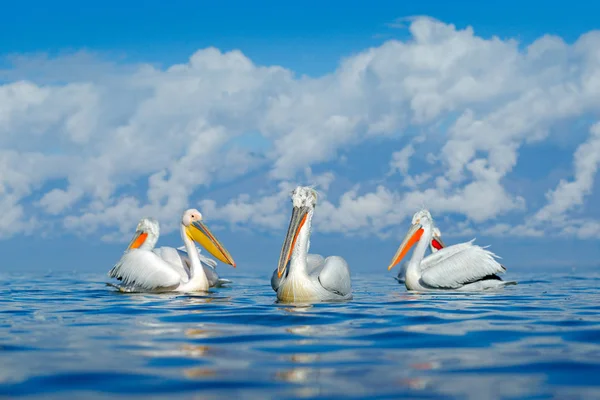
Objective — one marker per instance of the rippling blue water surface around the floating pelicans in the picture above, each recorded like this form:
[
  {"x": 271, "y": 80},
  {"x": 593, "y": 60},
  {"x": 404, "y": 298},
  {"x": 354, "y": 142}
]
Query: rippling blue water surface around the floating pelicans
[{"x": 71, "y": 336}]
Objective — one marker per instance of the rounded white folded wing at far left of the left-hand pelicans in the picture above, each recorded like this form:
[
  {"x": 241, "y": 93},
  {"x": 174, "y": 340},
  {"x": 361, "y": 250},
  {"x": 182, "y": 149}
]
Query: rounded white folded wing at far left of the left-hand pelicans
[{"x": 145, "y": 270}]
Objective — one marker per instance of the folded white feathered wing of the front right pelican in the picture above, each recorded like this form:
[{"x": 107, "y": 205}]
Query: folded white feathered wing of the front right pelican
[{"x": 457, "y": 267}]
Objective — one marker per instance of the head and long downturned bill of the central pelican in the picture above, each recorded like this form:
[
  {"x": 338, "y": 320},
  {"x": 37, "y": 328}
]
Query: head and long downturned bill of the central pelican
[{"x": 304, "y": 200}]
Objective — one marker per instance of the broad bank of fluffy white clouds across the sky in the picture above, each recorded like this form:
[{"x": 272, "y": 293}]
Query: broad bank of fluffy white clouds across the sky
[{"x": 89, "y": 146}]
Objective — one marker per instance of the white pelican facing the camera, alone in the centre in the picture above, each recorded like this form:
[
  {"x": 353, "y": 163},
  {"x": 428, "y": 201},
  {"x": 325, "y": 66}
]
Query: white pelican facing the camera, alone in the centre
[{"x": 303, "y": 277}]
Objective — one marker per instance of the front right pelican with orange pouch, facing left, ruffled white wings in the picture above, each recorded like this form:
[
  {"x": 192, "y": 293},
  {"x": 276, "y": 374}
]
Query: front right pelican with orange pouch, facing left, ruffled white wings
[{"x": 463, "y": 266}]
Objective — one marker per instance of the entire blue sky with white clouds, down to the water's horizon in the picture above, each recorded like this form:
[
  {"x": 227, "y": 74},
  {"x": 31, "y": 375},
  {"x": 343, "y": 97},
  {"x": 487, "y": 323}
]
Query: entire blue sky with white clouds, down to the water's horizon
[{"x": 93, "y": 94}]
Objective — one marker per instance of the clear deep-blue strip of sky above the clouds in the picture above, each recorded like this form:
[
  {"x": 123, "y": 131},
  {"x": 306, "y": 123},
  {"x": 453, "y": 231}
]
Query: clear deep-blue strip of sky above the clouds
[{"x": 321, "y": 32}]
